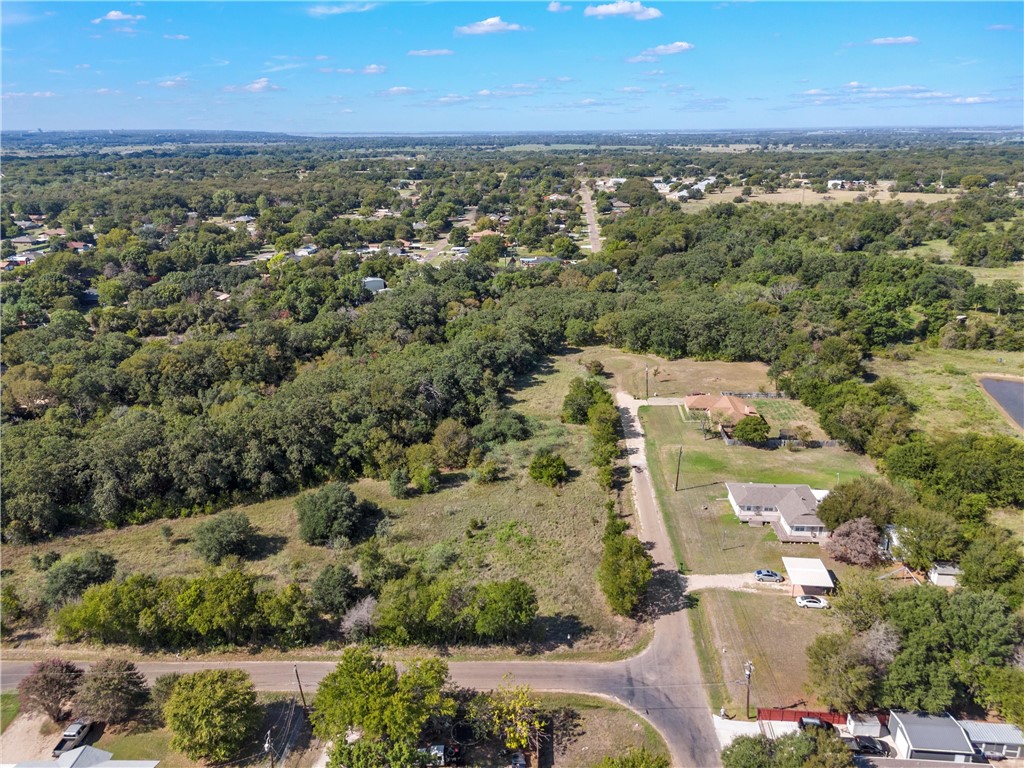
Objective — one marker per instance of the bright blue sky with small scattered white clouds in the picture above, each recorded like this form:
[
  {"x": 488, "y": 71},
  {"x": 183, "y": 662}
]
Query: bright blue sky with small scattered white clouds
[{"x": 465, "y": 67}]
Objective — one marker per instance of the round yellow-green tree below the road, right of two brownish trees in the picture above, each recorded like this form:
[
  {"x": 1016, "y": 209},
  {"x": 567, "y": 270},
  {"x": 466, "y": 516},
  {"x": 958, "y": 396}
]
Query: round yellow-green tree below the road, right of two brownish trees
[{"x": 212, "y": 714}]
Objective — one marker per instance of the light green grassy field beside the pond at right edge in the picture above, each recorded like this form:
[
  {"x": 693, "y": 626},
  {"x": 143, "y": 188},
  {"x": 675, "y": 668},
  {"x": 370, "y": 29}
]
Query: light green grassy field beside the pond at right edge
[{"x": 943, "y": 386}]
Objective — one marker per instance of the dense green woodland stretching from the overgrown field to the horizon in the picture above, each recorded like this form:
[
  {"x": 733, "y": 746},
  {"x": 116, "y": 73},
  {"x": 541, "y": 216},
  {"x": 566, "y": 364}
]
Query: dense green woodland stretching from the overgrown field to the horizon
[{"x": 154, "y": 367}]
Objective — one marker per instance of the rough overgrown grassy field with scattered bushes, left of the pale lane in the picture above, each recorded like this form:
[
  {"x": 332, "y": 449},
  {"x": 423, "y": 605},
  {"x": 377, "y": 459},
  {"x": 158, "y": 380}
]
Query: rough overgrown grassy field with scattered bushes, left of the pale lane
[{"x": 550, "y": 538}]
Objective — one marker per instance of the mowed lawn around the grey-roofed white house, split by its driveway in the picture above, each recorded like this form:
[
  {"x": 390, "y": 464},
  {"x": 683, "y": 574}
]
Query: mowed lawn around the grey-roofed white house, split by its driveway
[{"x": 766, "y": 628}]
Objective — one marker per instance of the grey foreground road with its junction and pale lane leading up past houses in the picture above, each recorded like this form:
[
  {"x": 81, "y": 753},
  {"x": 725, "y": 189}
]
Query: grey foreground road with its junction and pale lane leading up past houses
[{"x": 663, "y": 684}]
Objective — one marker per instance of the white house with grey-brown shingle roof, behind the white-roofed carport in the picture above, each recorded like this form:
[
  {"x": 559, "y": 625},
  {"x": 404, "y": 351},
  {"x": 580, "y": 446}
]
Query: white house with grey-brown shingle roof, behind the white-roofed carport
[{"x": 792, "y": 508}]
